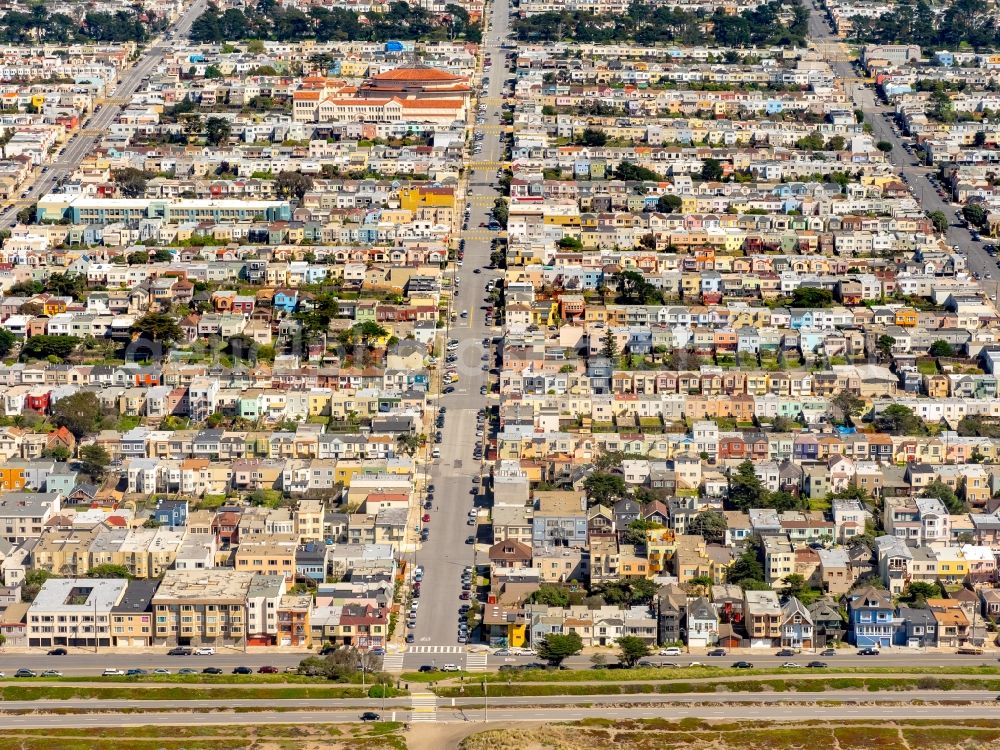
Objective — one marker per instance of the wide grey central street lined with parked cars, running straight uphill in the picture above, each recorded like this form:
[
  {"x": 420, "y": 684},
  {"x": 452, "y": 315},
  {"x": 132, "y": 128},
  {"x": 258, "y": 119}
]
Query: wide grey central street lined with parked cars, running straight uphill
[{"x": 446, "y": 553}]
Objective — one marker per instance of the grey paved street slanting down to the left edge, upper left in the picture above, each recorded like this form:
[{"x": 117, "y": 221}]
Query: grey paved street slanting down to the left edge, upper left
[{"x": 81, "y": 145}]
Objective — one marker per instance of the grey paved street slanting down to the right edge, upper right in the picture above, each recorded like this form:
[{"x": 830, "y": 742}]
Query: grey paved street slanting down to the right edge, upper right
[{"x": 916, "y": 175}]
